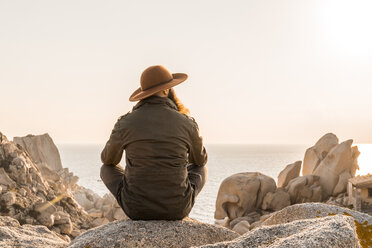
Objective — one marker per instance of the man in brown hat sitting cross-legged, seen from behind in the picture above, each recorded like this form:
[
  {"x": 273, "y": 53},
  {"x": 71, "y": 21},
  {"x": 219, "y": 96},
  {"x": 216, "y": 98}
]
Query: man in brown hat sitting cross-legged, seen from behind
[{"x": 165, "y": 157}]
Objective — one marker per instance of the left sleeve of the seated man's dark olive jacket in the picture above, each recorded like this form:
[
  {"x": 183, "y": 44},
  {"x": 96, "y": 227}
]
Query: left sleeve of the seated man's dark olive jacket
[{"x": 113, "y": 151}]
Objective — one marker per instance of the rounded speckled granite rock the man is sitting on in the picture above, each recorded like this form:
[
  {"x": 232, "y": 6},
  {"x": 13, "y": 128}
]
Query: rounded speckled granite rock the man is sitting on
[{"x": 128, "y": 233}]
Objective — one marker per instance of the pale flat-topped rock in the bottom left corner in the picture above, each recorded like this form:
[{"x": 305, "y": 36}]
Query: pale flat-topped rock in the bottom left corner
[{"x": 12, "y": 234}]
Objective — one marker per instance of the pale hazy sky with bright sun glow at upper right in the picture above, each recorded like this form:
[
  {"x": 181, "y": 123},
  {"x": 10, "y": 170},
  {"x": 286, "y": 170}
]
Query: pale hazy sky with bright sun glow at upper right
[{"x": 259, "y": 71}]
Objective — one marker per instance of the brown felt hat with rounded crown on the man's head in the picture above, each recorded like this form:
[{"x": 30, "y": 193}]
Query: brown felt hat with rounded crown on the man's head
[{"x": 154, "y": 79}]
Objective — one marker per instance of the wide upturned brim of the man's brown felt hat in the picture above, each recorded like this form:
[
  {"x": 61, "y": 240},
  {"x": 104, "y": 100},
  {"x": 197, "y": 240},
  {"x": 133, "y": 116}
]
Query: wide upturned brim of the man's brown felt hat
[{"x": 140, "y": 94}]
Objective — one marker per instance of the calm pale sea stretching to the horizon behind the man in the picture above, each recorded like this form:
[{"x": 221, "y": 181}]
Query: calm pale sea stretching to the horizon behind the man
[{"x": 223, "y": 161}]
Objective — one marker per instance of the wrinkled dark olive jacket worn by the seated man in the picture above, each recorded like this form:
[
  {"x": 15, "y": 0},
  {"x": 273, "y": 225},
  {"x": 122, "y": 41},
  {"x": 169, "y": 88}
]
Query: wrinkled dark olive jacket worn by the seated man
[{"x": 159, "y": 143}]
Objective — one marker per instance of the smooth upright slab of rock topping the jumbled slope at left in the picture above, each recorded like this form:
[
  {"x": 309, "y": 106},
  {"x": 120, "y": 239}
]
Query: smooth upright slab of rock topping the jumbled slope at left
[{"x": 42, "y": 149}]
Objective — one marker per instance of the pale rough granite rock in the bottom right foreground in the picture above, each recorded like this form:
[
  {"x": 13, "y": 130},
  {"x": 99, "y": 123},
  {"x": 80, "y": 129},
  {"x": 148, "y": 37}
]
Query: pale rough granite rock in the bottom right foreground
[{"x": 330, "y": 231}]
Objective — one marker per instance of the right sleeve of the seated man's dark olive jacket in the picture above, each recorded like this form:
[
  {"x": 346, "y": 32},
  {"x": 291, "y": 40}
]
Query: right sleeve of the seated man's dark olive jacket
[{"x": 197, "y": 154}]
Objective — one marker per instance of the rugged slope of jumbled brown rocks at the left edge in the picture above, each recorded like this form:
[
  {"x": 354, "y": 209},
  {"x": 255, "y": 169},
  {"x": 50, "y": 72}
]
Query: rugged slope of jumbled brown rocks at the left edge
[{"x": 33, "y": 200}]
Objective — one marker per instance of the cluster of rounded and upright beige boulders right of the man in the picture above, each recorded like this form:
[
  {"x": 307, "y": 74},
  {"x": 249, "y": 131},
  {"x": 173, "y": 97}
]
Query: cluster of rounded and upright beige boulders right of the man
[{"x": 327, "y": 168}]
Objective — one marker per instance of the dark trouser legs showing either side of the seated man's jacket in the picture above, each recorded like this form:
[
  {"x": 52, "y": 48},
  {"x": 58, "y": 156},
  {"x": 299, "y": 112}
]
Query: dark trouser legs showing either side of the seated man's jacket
[{"x": 112, "y": 177}]
